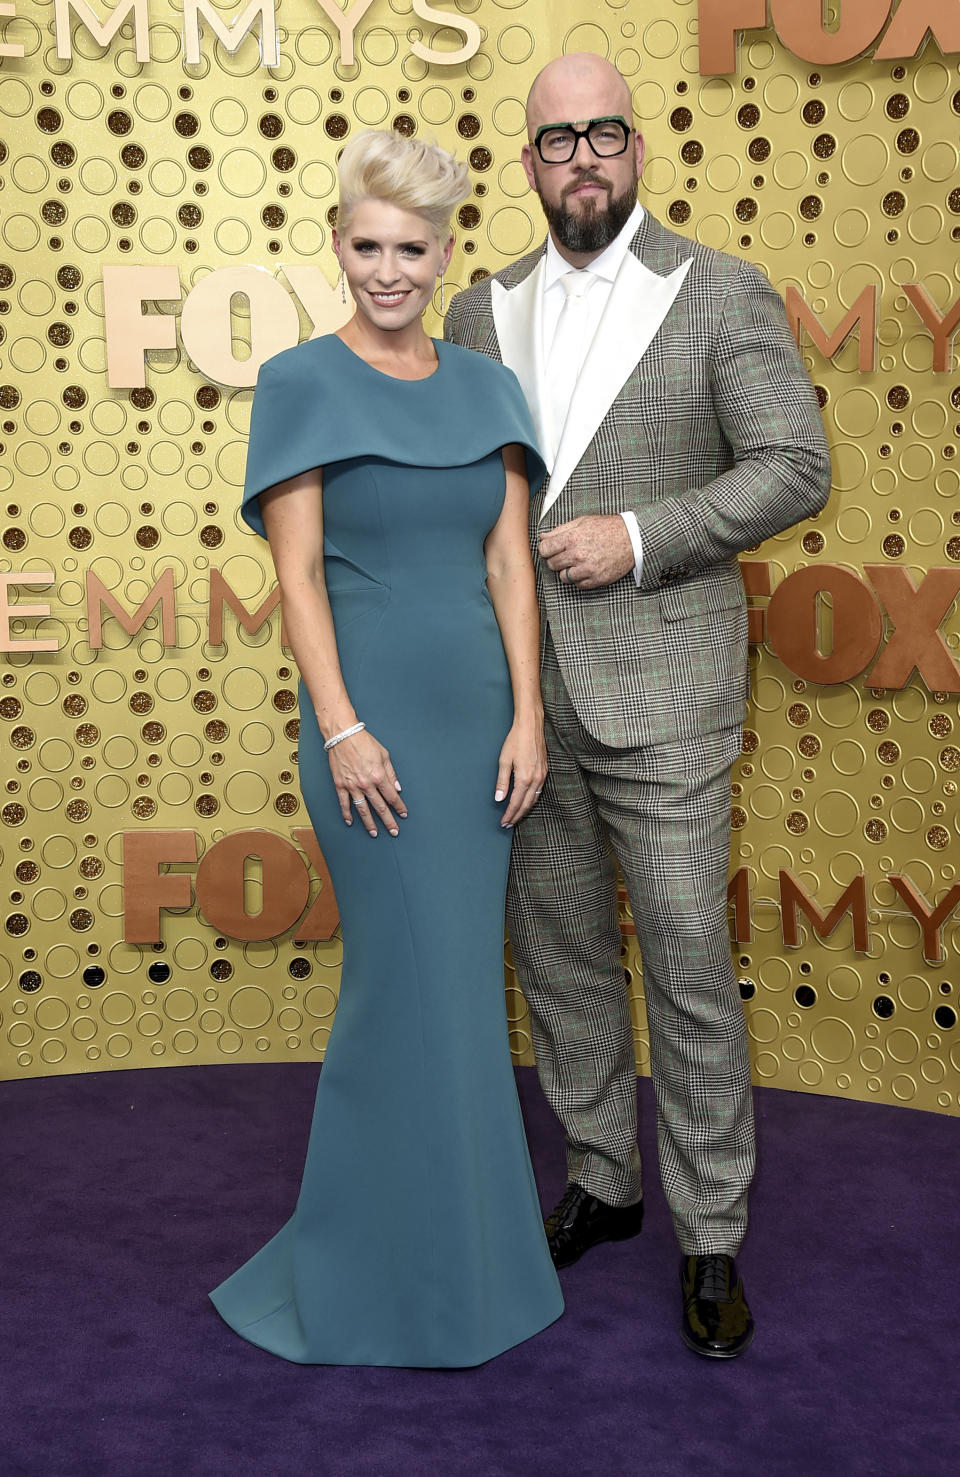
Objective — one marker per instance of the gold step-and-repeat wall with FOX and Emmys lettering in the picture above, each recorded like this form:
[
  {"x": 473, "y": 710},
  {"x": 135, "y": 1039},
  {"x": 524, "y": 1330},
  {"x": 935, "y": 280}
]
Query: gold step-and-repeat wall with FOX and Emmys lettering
[{"x": 168, "y": 196}]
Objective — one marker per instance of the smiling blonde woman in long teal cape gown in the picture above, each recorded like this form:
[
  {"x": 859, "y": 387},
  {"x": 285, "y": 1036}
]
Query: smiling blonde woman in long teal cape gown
[{"x": 391, "y": 475}]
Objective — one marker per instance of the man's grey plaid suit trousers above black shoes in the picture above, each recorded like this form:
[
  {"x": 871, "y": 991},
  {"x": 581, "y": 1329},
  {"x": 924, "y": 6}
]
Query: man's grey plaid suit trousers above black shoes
[{"x": 662, "y": 813}]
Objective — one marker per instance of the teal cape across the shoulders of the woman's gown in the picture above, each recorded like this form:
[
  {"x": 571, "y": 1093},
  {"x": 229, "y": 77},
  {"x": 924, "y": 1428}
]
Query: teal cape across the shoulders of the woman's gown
[{"x": 321, "y": 404}]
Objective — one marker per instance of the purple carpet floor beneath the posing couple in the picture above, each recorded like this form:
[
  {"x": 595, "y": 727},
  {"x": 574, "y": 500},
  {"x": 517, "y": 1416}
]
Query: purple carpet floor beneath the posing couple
[{"x": 128, "y": 1196}]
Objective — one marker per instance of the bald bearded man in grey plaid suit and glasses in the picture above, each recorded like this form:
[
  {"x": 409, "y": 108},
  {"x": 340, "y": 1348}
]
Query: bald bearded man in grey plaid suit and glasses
[{"x": 680, "y": 431}]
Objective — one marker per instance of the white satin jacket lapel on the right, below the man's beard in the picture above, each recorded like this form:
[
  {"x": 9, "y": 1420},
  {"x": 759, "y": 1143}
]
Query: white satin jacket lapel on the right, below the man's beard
[{"x": 639, "y": 304}]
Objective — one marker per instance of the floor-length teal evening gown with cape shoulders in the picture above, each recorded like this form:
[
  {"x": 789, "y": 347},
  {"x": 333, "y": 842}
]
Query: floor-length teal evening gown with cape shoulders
[{"x": 417, "y": 1237}]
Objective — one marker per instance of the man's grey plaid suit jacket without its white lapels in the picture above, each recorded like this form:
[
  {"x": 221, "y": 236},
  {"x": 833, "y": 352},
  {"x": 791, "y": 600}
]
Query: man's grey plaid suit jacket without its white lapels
[{"x": 716, "y": 442}]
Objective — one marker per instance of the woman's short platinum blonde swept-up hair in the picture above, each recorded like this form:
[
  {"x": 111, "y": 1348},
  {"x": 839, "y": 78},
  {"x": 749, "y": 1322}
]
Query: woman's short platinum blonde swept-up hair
[{"x": 408, "y": 174}]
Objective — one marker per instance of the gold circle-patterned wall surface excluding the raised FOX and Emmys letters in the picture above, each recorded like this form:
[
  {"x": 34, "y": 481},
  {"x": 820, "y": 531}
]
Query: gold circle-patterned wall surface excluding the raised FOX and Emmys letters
[{"x": 832, "y": 182}]
